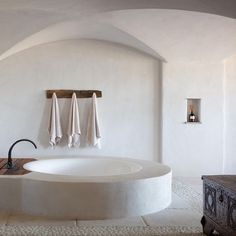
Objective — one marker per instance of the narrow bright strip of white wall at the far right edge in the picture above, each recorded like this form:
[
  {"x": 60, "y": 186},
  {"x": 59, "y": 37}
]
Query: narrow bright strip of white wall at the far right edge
[{"x": 230, "y": 116}]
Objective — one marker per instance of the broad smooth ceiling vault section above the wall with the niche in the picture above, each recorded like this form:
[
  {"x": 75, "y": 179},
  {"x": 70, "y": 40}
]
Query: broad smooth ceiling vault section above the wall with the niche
[{"x": 181, "y": 35}]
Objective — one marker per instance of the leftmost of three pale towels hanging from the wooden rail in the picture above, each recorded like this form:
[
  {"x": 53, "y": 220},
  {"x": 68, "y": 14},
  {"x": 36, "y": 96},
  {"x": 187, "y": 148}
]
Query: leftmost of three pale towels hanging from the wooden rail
[{"x": 54, "y": 129}]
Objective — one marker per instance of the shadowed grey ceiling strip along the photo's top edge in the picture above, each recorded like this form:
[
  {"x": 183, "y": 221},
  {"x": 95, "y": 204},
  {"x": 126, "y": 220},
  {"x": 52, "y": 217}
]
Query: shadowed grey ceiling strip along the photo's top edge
[{"x": 85, "y": 7}]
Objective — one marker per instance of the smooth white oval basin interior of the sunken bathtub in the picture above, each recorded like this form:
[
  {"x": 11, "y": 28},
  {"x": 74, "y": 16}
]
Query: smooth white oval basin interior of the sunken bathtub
[{"x": 83, "y": 167}]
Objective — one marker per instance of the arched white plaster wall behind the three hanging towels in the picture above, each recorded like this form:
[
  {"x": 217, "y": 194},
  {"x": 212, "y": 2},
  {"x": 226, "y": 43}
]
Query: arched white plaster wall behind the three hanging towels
[{"x": 129, "y": 110}]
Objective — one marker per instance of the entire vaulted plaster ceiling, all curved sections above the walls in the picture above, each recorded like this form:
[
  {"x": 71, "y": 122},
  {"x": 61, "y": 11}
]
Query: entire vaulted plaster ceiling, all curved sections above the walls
[{"x": 174, "y": 34}]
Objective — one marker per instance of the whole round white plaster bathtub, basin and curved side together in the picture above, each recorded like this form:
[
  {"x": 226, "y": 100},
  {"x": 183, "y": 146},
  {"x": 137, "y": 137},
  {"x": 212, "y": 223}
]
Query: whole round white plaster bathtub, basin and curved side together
[{"x": 94, "y": 188}]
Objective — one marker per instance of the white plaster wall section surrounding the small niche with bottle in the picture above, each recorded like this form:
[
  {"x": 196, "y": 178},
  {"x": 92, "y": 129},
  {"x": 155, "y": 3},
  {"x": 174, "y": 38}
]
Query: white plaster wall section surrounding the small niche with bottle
[{"x": 193, "y": 149}]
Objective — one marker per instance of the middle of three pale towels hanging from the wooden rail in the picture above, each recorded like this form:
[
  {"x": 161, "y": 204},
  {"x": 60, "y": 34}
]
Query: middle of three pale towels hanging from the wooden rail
[{"x": 74, "y": 124}]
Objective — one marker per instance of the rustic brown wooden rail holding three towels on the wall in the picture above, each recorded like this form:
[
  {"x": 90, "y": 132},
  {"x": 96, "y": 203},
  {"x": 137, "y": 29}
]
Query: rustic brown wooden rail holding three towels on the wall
[{"x": 68, "y": 93}]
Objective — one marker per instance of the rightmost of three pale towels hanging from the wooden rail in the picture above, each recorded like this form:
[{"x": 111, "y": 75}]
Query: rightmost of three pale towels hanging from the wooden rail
[{"x": 93, "y": 130}]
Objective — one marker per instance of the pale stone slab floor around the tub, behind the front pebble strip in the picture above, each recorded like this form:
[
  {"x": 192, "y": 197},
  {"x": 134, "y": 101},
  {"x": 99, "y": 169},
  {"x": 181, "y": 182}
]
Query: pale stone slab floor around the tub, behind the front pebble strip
[{"x": 181, "y": 212}]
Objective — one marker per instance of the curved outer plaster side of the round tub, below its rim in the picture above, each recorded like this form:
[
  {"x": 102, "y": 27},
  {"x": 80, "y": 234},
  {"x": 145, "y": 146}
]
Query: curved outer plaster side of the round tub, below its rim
[{"x": 96, "y": 201}]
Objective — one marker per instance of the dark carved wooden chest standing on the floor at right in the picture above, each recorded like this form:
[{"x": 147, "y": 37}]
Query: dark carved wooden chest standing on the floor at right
[{"x": 219, "y": 204}]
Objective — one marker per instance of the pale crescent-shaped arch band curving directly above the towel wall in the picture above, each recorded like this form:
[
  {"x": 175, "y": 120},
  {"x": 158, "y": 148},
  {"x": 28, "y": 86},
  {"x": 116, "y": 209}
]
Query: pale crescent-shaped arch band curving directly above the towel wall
[{"x": 81, "y": 30}]
